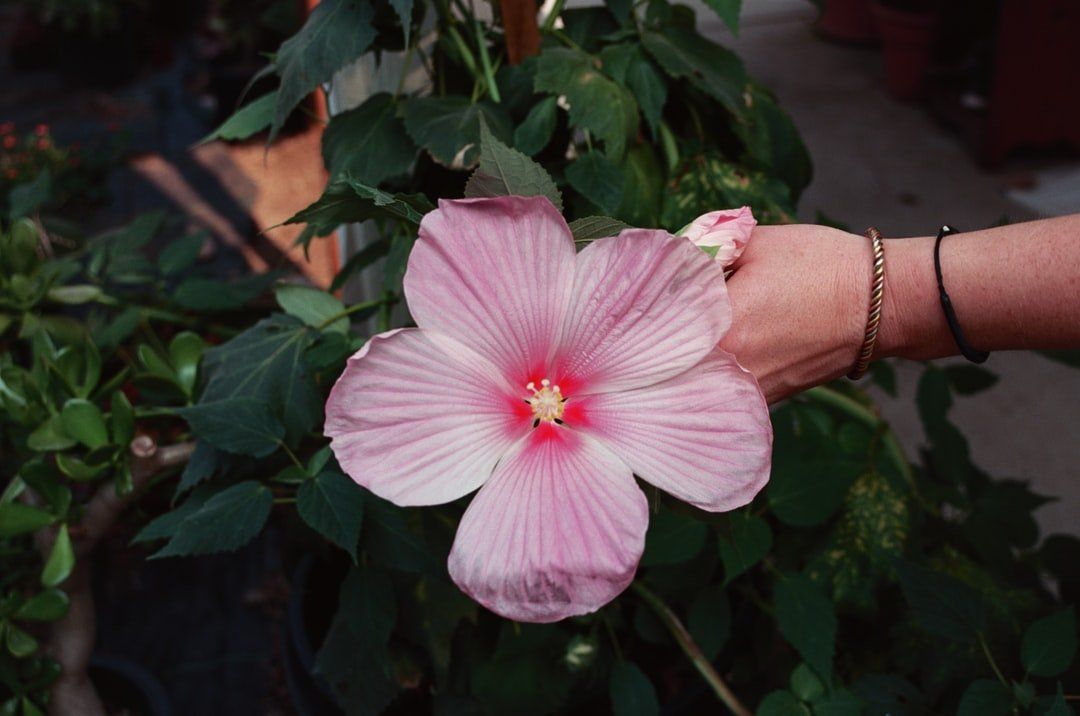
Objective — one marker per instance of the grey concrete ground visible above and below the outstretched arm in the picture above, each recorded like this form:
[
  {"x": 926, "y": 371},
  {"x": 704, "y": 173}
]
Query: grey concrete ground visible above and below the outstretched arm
[{"x": 883, "y": 164}]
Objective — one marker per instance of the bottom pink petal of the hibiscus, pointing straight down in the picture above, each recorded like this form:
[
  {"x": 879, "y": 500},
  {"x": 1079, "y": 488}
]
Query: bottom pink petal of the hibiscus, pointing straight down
[{"x": 557, "y": 533}]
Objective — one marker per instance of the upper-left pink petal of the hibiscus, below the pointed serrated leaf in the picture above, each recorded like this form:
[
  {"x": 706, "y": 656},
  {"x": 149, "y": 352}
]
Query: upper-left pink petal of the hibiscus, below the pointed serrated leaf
[{"x": 495, "y": 275}]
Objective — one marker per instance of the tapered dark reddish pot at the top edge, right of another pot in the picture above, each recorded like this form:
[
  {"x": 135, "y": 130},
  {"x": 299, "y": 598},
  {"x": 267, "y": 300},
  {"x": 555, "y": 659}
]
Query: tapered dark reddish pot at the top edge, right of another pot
[{"x": 908, "y": 38}]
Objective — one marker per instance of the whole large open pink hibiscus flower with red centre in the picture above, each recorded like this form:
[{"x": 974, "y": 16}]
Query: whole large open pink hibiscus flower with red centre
[{"x": 548, "y": 380}]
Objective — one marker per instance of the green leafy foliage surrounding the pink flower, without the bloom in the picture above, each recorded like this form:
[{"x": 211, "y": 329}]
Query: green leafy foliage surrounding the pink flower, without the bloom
[{"x": 860, "y": 582}]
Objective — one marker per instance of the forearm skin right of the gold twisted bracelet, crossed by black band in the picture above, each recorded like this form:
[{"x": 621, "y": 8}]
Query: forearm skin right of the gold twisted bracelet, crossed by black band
[{"x": 1012, "y": 288}]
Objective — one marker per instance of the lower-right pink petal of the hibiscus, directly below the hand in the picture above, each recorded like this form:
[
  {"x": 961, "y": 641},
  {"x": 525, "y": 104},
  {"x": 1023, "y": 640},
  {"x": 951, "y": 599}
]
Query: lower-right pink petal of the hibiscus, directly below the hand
[{"x": 705, "y": 436}]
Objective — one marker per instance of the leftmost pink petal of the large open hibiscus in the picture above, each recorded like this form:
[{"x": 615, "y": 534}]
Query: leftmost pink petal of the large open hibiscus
[{"x": 420, "y": 420}]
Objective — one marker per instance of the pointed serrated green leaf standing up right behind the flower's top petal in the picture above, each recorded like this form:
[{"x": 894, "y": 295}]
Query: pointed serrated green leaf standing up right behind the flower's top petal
[{"x": 504, "y": 172}]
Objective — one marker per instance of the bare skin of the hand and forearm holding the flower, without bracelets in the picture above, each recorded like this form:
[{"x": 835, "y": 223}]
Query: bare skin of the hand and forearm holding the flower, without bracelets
[{"x": 801, "y": 294}]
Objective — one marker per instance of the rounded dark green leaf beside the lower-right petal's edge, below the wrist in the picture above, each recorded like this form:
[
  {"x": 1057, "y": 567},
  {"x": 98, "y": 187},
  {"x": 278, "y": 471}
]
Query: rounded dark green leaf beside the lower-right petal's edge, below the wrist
[{"x": 807, "y": 493}]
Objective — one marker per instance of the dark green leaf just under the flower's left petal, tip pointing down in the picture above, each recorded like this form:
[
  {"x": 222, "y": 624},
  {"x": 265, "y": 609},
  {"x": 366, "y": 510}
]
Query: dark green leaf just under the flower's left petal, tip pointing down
[{"x": 333, "y": 506}]
